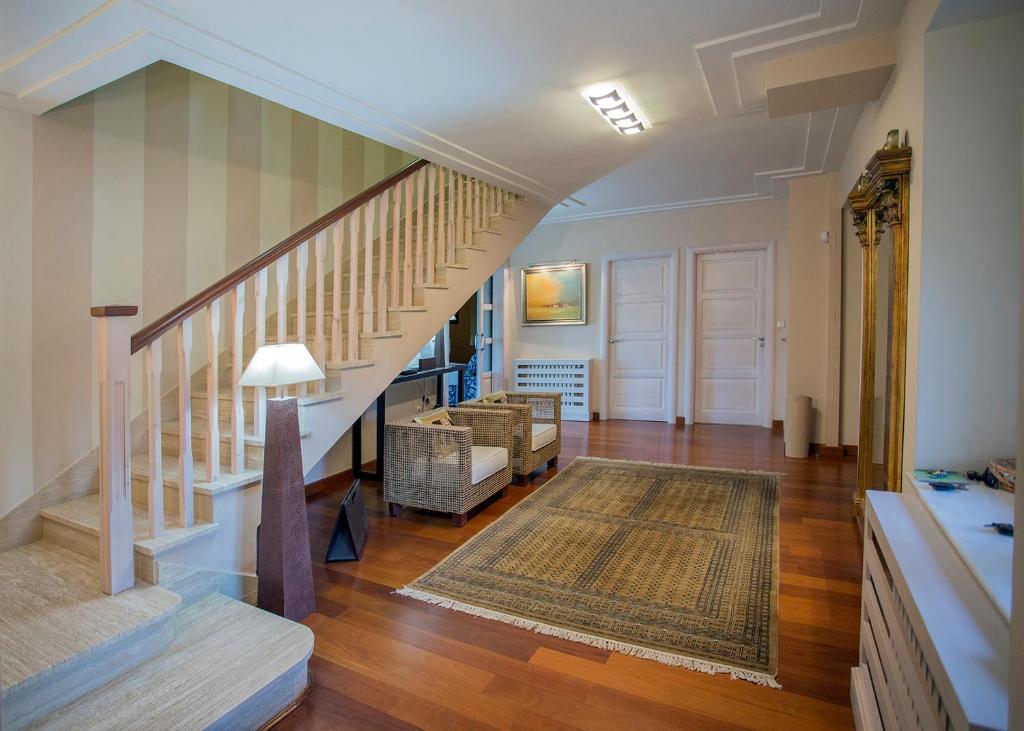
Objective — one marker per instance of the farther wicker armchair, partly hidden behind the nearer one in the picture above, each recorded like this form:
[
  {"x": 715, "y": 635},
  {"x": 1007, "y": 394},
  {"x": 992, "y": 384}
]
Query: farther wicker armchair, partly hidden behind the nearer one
[{"x": 535, "y": 414}]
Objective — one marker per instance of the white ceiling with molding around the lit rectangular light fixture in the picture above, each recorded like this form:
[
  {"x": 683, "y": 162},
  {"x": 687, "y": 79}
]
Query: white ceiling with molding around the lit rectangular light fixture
[{"x": 488, "y": 87}]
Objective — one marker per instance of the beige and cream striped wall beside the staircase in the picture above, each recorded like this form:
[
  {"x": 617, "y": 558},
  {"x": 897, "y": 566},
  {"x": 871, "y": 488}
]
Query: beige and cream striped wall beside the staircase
[{"x": 144, "y": 192}]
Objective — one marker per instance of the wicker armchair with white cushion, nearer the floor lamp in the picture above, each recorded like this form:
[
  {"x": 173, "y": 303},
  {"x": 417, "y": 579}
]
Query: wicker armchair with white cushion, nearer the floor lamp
[{"x": 433, "y": 467}]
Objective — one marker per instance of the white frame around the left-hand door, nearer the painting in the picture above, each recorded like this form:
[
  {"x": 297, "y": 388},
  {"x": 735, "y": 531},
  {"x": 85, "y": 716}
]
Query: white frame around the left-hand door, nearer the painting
[{"x": 672, "y": 403}]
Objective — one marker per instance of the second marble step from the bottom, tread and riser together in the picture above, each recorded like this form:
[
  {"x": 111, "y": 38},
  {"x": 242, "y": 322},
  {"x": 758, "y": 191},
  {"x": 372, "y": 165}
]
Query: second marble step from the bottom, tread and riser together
[{"x": 61, "y": 637}]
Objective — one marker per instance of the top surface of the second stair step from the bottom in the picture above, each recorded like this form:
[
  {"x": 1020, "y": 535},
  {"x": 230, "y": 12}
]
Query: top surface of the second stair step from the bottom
[{"x": 54, "y": 610}]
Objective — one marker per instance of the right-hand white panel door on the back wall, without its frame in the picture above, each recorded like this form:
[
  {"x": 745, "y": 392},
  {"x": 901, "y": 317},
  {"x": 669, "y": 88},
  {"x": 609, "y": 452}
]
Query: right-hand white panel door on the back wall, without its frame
[{"x": 732, "y": 307}]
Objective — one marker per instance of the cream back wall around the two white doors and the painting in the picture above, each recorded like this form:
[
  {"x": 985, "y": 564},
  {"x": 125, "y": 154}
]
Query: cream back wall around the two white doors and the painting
[{"x": 589, "y": 241}]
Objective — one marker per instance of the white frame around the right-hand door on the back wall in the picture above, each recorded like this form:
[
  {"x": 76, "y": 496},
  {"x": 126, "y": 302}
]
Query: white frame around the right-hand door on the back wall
[{"x": 690, "y": 336}]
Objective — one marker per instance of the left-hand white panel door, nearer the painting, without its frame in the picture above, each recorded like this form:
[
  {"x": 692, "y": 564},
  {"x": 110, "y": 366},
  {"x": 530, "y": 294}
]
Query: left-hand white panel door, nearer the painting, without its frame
[{"x": 639, "y": 334}]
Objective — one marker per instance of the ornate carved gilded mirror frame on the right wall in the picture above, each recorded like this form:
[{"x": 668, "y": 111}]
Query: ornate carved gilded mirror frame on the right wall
[{"x": 880, "y": 201}]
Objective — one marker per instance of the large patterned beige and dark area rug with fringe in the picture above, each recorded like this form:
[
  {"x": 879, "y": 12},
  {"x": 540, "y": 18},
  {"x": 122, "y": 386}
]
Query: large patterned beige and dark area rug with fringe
[{"x": 671, "y": 564}]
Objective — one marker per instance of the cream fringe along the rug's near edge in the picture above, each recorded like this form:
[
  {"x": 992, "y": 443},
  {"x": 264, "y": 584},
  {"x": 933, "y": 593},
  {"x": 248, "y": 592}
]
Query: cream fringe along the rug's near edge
[{"x": 603, "y": 643}]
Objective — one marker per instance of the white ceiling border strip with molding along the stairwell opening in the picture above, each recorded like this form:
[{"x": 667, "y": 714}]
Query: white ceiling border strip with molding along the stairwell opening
[{"x": 122, "y": 36}]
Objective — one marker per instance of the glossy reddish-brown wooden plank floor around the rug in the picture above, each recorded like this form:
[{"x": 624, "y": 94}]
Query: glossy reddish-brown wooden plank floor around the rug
[{"x": 386, "y": 662}]
